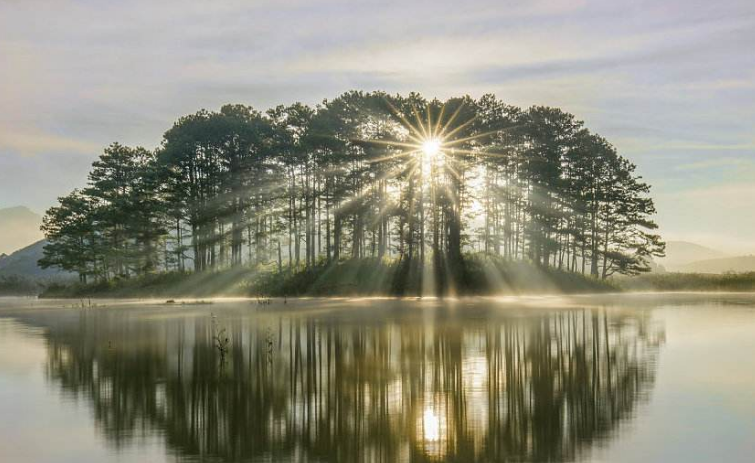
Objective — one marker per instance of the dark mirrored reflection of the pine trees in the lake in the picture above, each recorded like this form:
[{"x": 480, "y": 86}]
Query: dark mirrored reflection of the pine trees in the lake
[{"x": 537, "y": 388}]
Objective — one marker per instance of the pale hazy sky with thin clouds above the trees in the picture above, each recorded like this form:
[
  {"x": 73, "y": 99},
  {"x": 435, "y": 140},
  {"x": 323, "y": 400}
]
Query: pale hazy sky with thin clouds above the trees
[{"x": 671, "y": 83}]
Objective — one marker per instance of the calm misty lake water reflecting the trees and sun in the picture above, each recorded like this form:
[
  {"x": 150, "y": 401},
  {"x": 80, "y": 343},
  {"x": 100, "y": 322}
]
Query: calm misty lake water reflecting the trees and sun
[{"x": 594, "y": 378}]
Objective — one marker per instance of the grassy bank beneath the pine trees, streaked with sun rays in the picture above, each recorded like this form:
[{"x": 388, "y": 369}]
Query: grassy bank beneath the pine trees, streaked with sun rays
[{"x": 479, "y": 275}]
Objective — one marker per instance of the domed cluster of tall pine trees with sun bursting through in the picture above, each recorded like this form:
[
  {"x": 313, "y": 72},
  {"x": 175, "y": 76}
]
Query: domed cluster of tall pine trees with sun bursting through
[{"x": 362, "y": 175}]
